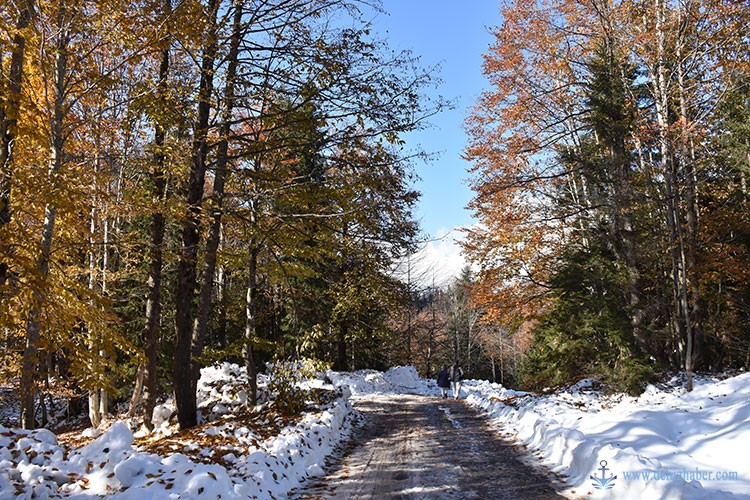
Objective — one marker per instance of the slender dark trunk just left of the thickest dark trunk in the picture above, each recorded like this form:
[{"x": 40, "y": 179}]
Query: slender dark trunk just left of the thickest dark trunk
[{"x": 150, "y": 333}]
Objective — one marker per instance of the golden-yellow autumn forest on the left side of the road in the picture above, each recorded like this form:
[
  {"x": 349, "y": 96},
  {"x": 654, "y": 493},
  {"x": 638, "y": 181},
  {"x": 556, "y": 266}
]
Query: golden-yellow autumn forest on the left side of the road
[{"x": 188, "y": 181}]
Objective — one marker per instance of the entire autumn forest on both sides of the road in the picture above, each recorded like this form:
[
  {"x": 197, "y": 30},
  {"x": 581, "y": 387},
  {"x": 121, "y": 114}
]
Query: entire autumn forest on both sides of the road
[{"x": 184, "y": 182}]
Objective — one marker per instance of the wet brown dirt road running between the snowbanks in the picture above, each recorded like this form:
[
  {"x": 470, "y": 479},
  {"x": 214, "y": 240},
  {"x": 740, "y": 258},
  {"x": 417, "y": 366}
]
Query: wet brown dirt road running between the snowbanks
[{"x": 427, "y": 447}]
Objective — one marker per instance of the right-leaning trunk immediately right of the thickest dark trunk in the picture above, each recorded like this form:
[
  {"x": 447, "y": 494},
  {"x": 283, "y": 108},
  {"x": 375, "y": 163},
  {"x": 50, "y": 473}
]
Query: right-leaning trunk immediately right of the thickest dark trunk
[{"x": 217, "y": 198}]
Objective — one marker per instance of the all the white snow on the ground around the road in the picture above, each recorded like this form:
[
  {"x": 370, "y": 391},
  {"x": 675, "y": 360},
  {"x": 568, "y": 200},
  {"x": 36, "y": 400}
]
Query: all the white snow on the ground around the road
[{"x": 673, "y": 436}]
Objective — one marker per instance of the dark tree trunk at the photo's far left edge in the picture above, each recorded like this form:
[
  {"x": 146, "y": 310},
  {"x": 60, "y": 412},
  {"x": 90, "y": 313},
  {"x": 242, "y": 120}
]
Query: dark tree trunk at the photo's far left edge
[{"x": 10, "y": 105}]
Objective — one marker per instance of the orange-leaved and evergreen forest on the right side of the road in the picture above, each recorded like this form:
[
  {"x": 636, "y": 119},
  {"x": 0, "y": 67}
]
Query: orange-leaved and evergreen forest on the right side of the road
[{"x": 610, "y": 161}]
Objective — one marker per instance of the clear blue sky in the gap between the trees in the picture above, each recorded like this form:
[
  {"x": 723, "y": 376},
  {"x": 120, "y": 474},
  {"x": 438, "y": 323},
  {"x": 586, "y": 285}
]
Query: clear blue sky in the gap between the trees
[{"x": 453, "y": 34}]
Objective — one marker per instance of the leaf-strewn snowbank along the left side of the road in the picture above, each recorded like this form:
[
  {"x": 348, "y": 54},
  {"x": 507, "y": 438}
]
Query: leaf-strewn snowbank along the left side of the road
[{"x": 34, "y": 465}]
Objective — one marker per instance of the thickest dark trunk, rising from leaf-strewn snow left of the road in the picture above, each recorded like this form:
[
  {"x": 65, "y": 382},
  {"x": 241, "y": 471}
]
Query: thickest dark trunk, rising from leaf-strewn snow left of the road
[{"x": 184, "y": 385}]
